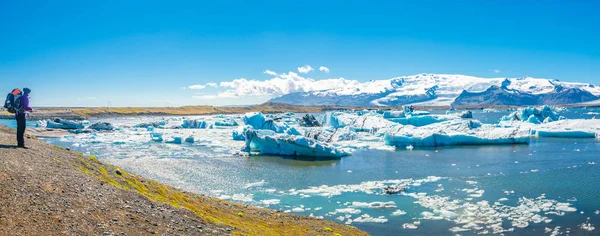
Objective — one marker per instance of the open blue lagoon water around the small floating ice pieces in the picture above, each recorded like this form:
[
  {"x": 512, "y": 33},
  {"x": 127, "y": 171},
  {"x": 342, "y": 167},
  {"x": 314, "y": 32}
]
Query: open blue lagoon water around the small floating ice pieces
[{"x": 562, "y": 169}]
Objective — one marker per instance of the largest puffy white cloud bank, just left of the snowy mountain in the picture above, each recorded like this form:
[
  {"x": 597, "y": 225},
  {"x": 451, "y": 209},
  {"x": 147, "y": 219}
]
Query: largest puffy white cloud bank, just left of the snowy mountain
[{"x": 283, "y": 84}]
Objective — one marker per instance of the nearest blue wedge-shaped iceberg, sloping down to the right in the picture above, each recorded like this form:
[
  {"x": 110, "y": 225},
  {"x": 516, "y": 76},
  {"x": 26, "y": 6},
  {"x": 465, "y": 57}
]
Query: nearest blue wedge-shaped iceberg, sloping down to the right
[{"x": 292, "y": 145}]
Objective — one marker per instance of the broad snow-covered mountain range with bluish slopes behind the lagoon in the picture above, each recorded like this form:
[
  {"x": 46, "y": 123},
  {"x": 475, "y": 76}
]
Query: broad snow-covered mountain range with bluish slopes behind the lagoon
[{"x": 445, "y": 90}]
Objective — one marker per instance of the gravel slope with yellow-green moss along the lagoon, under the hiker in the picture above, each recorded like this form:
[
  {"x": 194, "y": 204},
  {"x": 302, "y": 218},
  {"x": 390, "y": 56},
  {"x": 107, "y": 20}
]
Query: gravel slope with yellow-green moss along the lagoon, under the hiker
[{"x": 47, "y": 190}]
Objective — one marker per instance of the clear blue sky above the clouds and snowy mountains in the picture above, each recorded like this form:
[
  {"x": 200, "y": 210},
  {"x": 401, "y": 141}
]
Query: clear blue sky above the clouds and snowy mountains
[{"x": 143, "y": 53}]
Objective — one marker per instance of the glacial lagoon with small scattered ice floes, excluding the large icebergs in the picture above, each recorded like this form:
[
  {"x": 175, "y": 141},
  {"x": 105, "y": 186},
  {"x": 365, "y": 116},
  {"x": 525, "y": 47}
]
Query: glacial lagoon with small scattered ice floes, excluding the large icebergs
[{"x": 547, "y": 186}]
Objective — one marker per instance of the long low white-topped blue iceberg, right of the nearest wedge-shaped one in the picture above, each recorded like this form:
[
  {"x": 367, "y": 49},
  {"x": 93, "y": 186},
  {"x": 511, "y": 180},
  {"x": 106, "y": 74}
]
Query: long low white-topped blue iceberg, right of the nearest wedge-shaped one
[{"x": 454, "y": 132}]
